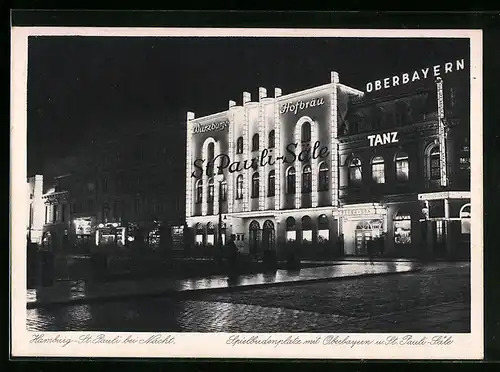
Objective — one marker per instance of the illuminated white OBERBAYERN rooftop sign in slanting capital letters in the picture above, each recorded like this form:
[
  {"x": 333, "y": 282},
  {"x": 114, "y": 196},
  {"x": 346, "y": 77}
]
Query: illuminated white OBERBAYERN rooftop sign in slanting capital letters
[{"x": 416, "y": 75}]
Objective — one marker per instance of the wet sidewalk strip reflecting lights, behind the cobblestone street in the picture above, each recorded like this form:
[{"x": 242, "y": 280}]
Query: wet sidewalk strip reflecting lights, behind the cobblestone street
[{"x": 68, "y": 292}]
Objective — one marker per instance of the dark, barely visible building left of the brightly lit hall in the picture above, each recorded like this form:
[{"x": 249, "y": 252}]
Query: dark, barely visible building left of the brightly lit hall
[{"x": 115, "y": 189}]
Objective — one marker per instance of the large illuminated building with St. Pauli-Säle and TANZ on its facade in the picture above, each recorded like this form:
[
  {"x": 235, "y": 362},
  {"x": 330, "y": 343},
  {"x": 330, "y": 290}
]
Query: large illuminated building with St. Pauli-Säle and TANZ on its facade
[{"x": 328, "y": 164}]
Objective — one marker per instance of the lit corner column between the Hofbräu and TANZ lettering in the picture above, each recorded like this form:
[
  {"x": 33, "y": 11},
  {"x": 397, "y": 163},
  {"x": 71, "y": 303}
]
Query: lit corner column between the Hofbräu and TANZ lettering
[{"x": 334, "y": 153}]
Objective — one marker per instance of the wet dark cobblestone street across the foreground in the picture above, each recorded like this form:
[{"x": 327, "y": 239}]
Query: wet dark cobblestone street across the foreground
[{"x": 436, "y": 299}]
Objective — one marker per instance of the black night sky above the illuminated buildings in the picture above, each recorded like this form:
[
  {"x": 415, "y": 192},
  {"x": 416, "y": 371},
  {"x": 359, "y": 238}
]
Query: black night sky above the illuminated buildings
[{"x": 78, "y": 84}]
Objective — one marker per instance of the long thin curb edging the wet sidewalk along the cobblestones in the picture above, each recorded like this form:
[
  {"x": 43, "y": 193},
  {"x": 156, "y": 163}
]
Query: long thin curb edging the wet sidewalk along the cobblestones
[{"x": 190, "y": 292}]
